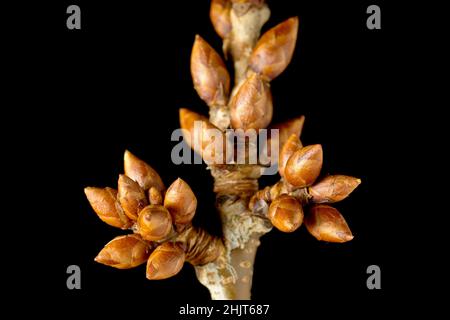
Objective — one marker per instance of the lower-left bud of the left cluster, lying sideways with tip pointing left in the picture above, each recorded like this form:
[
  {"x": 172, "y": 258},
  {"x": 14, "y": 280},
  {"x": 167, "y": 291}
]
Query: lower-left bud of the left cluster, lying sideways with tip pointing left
[{"x": 124, "y": 252}]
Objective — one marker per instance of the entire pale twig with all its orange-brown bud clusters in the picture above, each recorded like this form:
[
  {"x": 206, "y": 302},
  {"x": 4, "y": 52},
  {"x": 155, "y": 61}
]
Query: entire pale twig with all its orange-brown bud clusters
[{"x": 160, "y": 219}]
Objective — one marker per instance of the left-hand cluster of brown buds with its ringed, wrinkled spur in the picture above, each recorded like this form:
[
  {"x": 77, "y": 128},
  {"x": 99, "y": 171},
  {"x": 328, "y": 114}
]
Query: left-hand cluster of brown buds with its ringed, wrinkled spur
[{"x": 160, "y": 219}]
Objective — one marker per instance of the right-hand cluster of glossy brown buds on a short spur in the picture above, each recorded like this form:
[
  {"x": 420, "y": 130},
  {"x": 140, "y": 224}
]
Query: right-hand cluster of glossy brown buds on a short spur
[{"x": 299, "y": 168}]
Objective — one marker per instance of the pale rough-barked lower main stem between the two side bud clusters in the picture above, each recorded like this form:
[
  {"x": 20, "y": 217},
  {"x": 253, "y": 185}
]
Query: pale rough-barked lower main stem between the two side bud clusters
[{"x": 230, "y": 276}]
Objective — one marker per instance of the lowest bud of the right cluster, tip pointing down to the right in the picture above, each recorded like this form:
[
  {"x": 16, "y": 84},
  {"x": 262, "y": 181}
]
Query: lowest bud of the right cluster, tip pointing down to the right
[{"x": 327, "y": 224}]
